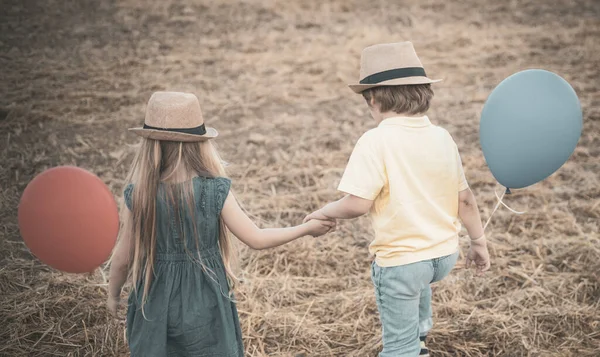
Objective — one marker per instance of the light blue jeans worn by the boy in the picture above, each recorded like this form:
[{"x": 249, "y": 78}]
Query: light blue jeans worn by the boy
[{"x": 403, "y": 297}]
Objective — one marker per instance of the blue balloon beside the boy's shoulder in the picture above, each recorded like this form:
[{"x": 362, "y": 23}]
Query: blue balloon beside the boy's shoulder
[{"x": 530, "y": 126}]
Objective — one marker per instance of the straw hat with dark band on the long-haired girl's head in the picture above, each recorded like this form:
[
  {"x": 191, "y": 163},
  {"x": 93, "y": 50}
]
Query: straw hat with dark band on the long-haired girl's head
[{"x": 174, "y": 116}]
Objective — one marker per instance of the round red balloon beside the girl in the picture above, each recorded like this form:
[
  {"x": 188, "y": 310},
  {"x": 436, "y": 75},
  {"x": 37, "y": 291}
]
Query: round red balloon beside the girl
[{"x": 69, "y": 219}]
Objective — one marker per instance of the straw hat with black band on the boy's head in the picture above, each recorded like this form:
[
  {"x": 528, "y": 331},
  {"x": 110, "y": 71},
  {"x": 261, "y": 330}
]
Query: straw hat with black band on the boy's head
[{"x": 390, "y": 64}]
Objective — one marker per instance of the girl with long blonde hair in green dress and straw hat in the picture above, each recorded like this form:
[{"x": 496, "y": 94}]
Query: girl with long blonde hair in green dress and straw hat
[{"x": 174, "y": 244}]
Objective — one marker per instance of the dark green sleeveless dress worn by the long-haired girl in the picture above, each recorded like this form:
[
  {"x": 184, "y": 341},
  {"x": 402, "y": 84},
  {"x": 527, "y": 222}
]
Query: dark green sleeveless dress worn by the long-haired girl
[{"x": 188, "y": 311}]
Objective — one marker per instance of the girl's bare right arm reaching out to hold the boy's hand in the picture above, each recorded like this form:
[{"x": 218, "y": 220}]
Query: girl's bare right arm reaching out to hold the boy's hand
[{"x": 245, "y": 230}]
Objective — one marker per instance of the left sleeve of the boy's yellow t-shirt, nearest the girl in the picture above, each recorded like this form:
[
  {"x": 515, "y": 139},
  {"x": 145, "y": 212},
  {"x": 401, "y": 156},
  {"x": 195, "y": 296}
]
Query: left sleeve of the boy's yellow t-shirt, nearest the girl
[{"x": 365, "y": 174}]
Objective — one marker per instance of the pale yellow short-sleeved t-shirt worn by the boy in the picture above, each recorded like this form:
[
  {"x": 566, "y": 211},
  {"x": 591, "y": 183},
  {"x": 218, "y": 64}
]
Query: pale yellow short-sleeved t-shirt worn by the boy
[{"x": 413, "y": 172}]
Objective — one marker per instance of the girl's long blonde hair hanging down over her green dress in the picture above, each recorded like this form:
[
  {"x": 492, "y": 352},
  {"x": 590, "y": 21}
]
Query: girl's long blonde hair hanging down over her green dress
[{"x": 154, "y": 159}]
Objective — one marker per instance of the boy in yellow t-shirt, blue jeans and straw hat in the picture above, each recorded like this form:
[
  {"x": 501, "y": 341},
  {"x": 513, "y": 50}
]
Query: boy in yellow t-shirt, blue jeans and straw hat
[{"x": 407, "y": 172}]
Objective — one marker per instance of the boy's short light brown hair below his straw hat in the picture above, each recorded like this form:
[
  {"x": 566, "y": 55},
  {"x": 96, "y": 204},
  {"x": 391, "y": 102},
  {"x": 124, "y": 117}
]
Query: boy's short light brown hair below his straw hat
[{"x": 405, "y": 99}]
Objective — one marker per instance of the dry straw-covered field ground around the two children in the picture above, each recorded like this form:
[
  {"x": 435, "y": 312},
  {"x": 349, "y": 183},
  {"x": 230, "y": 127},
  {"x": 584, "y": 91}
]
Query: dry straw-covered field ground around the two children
[{"x": 271, "y": 76}]
